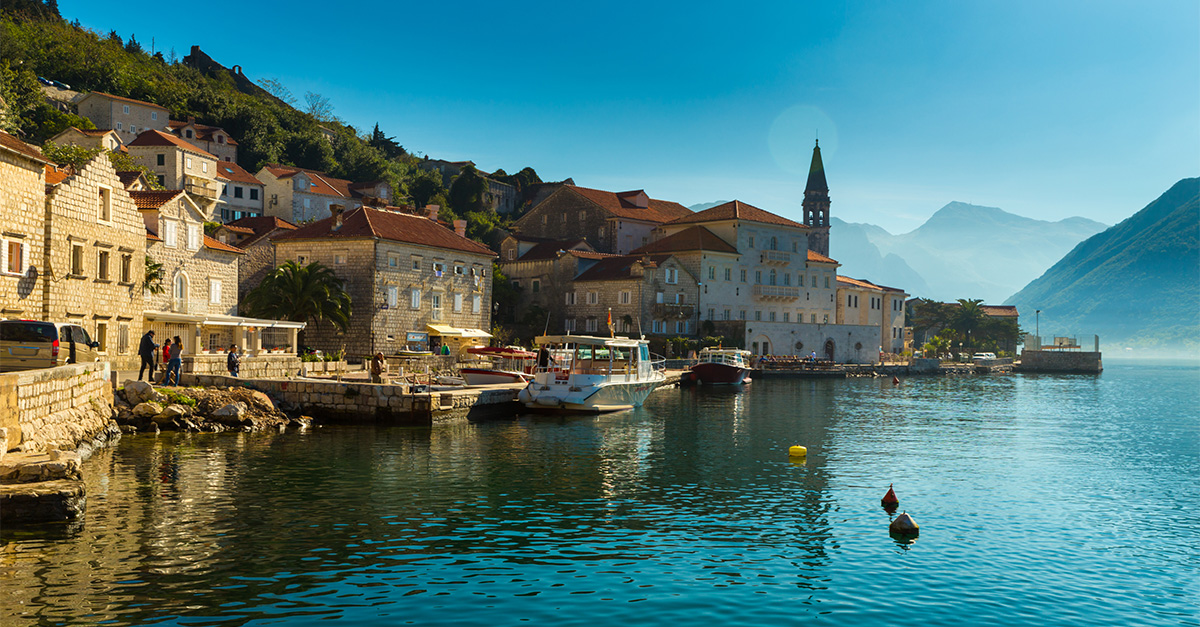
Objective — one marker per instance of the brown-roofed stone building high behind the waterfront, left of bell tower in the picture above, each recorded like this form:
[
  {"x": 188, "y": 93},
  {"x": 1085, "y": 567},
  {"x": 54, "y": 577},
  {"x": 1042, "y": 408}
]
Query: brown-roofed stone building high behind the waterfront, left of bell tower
[{"x": 615, "y": 223}]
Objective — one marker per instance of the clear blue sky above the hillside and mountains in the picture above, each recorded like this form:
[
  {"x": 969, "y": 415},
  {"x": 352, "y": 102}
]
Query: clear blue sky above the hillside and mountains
[{"x": 1047, "y": 110}]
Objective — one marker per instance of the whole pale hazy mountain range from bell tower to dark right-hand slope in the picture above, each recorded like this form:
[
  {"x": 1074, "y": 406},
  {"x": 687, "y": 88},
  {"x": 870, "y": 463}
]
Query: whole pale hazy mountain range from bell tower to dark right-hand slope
[{"x": 962, "y": 252}]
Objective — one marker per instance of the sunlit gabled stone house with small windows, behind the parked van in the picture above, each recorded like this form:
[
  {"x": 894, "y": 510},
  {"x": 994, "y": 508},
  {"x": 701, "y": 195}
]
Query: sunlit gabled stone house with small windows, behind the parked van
[{"x": 95, "y": 259}]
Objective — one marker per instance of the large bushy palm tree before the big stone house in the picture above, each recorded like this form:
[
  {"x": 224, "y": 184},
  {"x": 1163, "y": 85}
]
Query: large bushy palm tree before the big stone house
[{"x": 302, "y": 294}]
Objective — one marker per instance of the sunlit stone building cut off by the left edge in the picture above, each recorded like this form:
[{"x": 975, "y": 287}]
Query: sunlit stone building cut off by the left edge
[{"x": 22, "y": 229}]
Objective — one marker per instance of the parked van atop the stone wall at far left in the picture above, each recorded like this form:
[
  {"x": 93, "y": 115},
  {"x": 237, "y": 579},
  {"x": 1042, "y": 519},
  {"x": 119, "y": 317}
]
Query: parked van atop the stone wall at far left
[{"x": 29, "y": 344}]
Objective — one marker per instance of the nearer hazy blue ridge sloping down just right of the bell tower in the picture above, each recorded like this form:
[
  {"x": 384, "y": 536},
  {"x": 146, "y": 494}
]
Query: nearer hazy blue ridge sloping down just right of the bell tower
[{"x": 851, "y": 246}]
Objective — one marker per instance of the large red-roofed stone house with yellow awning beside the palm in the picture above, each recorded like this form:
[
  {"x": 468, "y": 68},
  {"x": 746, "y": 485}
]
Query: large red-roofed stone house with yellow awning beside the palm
[{"x": 405, "y": 274}]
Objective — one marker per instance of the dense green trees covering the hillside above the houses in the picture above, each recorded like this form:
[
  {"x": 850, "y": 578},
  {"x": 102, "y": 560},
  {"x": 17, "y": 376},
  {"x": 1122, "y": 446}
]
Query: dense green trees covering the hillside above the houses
[{"x": 35, "y": 41}]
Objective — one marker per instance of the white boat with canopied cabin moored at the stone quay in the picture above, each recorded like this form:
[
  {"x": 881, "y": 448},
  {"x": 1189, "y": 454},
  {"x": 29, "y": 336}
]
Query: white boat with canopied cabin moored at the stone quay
[{"x": 587, "y": 374}]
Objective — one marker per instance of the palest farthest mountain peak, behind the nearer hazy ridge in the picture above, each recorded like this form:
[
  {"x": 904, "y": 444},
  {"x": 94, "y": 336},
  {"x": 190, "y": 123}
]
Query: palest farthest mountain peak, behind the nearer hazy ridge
[{"x": 971, "y": 252}]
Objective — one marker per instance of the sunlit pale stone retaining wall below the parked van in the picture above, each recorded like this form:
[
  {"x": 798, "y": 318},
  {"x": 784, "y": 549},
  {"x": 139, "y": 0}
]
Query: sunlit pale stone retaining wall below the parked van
[{"x": 56, "y": 408}]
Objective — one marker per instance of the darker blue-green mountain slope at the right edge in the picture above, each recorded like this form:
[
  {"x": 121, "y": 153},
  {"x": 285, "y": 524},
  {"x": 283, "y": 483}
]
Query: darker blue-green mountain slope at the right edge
[{"x": 1137, "y": 284}]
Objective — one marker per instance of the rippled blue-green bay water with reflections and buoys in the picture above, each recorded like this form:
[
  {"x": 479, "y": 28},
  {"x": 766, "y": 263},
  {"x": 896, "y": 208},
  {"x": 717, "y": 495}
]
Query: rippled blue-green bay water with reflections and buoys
[{"x": 1042, "y": 500}]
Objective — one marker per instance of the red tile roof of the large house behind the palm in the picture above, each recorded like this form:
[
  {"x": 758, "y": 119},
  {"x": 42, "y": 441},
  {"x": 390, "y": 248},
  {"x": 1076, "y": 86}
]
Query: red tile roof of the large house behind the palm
[{"x": 369, "y": 223}]
